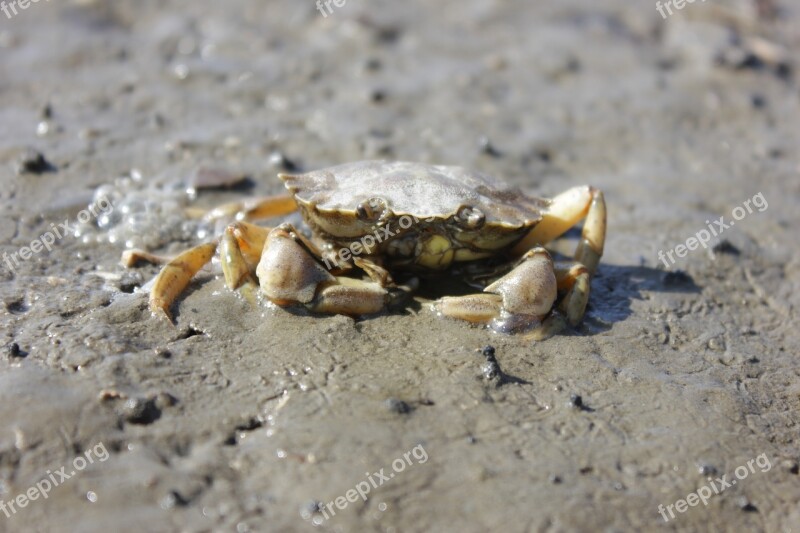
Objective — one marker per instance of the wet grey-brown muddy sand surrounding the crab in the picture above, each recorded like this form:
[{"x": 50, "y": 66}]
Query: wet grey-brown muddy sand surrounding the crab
[{"x": 674, "y": 405}]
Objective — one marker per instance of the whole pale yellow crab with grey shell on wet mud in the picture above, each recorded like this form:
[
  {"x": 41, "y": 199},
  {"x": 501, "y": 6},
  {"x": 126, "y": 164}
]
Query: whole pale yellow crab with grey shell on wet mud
[{"x": 373, "y": 221}]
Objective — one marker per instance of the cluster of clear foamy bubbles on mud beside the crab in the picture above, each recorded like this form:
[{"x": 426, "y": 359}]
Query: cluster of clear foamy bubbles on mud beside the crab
[{"x": 146, "y": 215}]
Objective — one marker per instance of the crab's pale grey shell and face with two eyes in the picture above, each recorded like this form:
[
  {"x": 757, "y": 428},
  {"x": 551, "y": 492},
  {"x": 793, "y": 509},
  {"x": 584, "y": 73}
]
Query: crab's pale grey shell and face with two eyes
[{"x": 434, "y": 214}]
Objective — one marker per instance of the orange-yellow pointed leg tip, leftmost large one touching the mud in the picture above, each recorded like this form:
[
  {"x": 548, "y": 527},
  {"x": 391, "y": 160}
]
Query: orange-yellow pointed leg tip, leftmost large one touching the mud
[{"x": 176, "y": 275}]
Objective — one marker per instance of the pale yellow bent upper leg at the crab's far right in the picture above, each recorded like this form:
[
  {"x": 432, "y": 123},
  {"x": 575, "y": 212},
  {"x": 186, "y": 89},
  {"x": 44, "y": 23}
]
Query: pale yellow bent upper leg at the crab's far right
[{"x": 566, "y": 210}]
